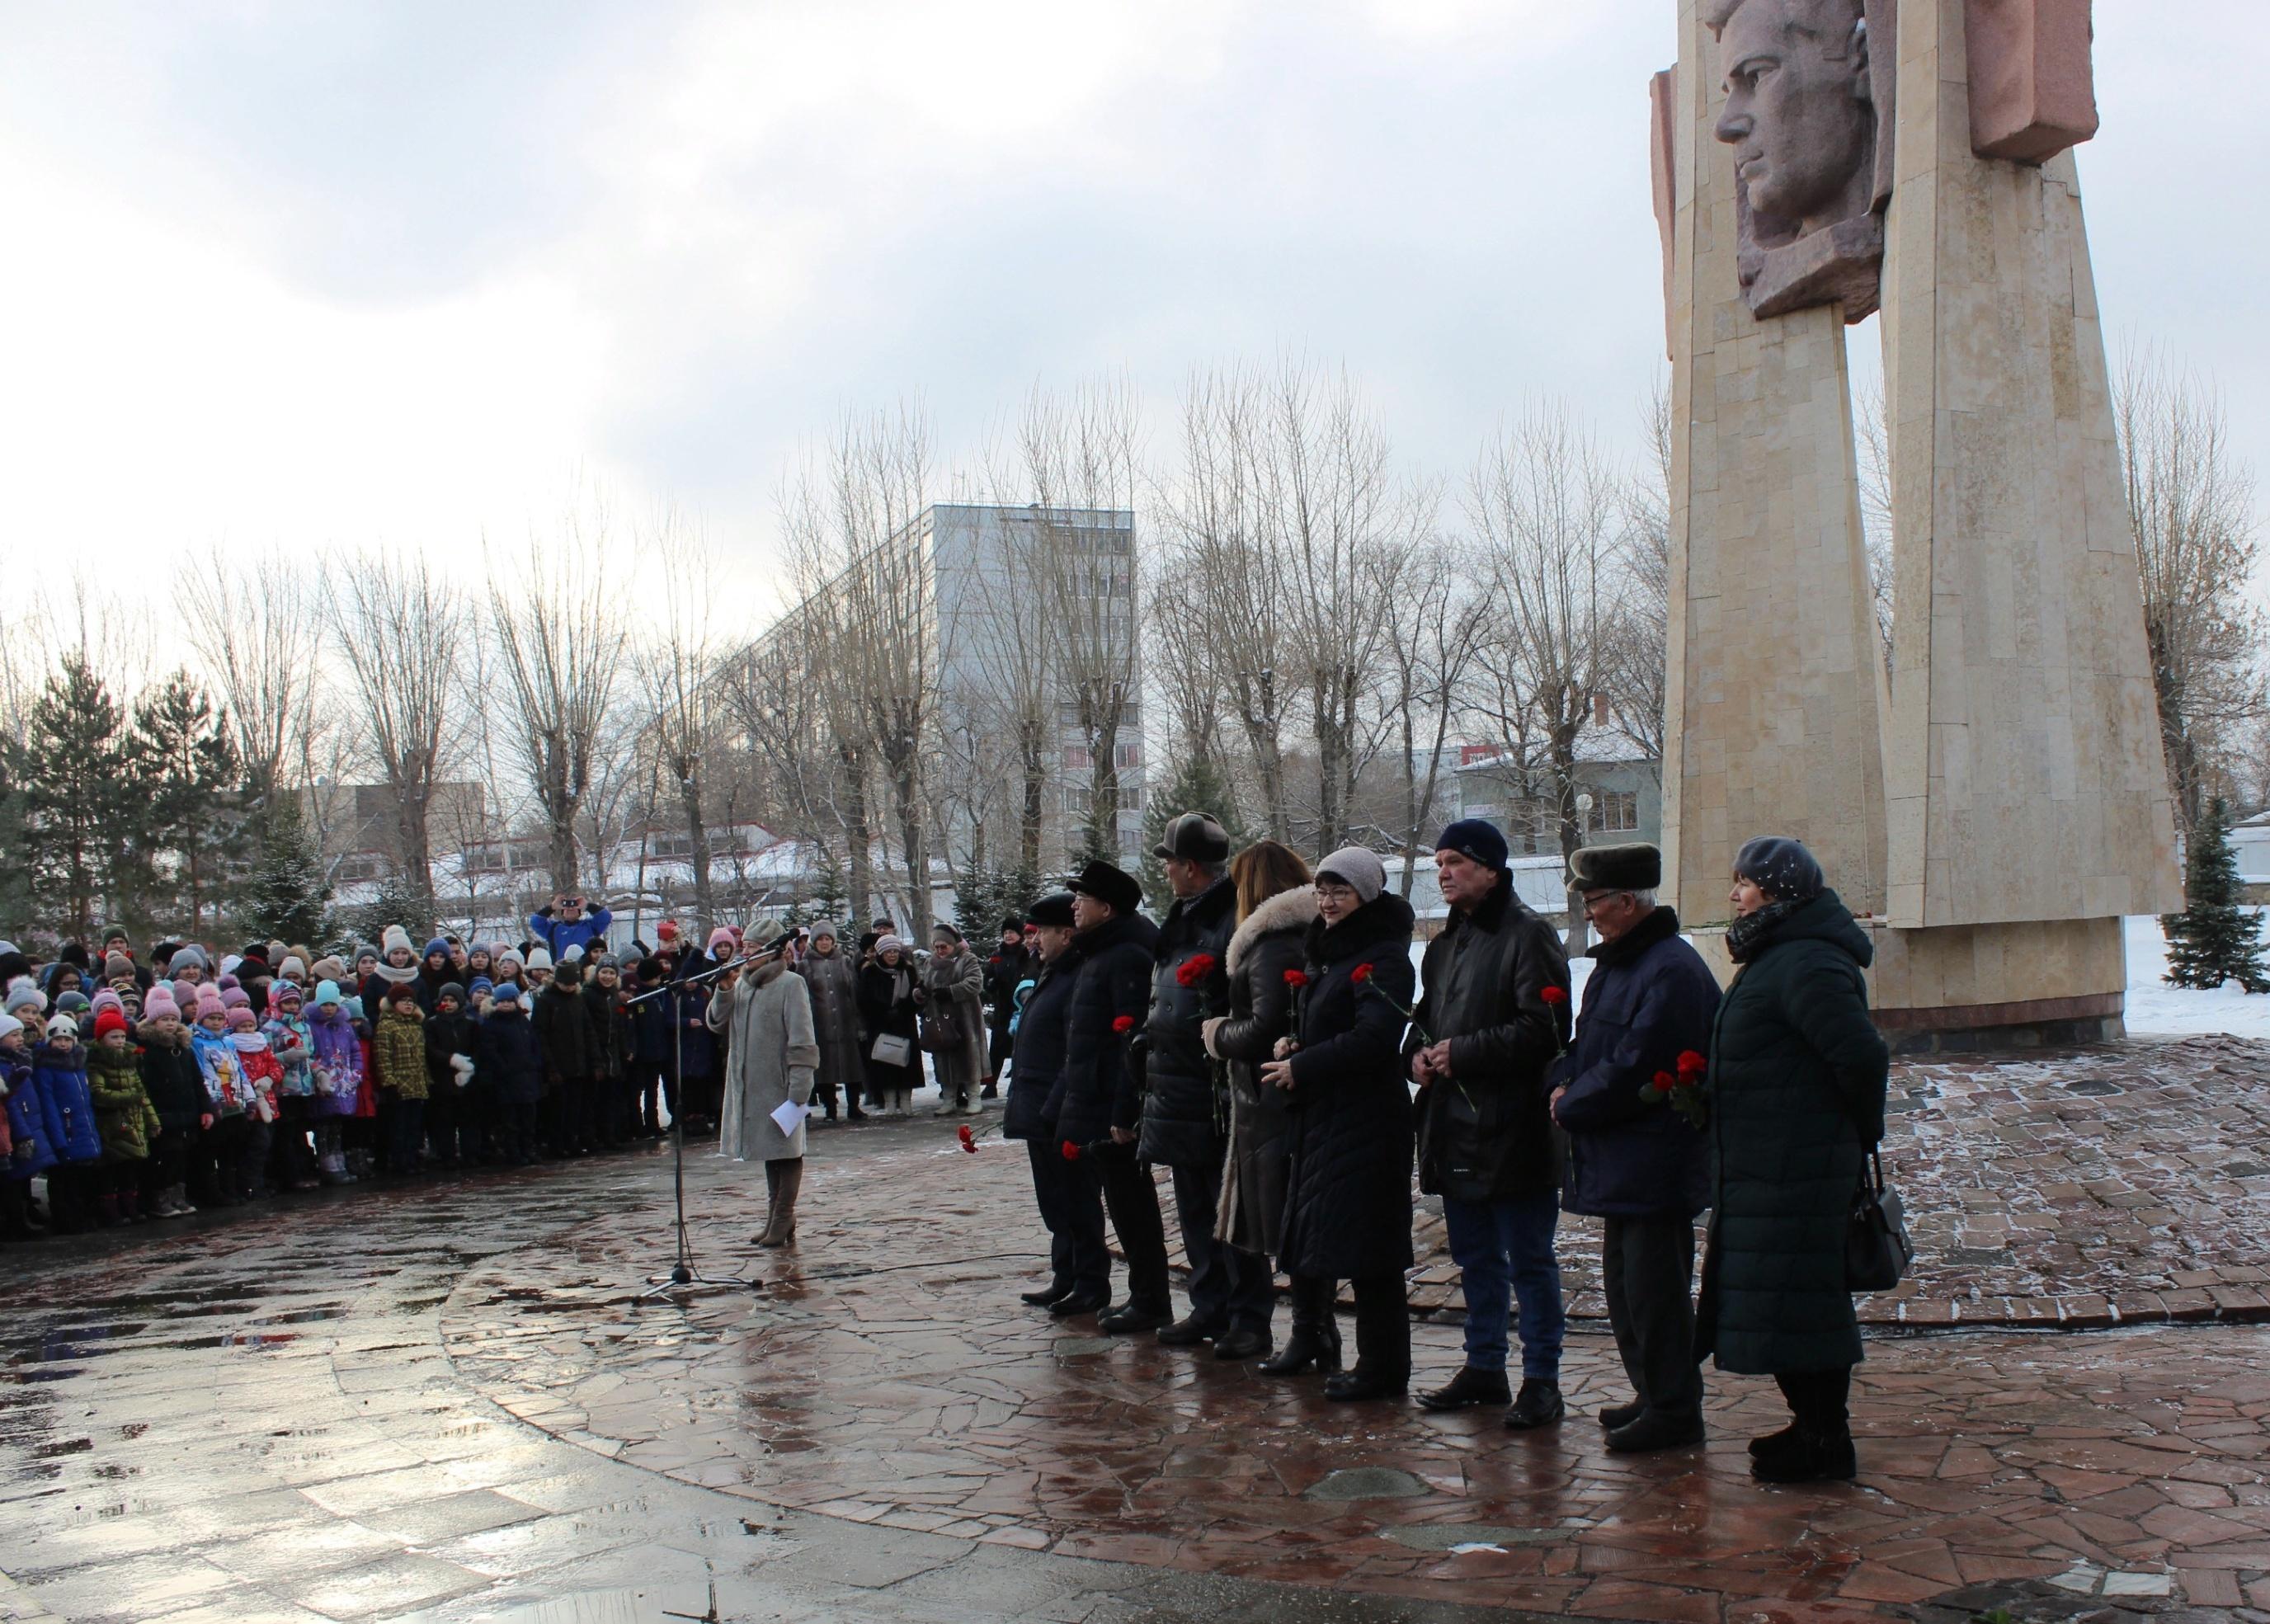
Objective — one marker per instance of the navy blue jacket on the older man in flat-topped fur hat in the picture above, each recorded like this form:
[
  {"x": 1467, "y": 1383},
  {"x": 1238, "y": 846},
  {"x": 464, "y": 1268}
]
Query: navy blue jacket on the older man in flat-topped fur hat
[{"x": 1649, "y": 1001}]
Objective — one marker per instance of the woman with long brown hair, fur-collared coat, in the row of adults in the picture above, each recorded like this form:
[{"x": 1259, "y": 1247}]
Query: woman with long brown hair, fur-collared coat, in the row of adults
[{"x": 1275, "y": 910}]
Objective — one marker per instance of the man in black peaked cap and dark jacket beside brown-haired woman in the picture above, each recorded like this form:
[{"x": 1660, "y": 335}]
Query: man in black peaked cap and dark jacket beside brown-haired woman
[{"x": 1186, "y": 1114}]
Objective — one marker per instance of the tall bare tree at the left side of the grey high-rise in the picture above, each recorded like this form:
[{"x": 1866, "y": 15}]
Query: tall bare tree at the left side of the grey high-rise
[{"x": 871, "y": 596}]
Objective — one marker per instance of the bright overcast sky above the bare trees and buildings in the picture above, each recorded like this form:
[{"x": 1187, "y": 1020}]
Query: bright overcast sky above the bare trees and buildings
[{"x": 392, "y": 274}]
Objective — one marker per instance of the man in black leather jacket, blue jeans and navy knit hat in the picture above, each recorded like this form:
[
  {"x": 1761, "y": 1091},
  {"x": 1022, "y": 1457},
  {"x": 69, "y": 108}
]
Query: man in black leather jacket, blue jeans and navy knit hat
[{"x": 1493, "y": 1021}]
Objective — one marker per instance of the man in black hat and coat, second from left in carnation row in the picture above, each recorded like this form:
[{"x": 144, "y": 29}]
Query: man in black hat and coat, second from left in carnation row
[{"x": 1095, "y": 1103}]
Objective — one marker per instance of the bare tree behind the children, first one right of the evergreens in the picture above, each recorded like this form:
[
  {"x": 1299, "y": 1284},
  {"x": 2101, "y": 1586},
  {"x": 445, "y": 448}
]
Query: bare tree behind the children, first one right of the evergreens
[{"x": 401, "y": 630}]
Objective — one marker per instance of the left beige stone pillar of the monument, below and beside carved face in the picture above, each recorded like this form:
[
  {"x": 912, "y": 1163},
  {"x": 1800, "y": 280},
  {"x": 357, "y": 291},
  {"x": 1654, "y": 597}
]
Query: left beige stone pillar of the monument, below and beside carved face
[{"x": 1774, "y": 673}]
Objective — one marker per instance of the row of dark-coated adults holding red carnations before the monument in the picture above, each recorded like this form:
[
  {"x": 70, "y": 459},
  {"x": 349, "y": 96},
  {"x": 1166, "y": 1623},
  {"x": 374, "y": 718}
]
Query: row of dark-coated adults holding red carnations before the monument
[{"x": 1268, "y": 1044}]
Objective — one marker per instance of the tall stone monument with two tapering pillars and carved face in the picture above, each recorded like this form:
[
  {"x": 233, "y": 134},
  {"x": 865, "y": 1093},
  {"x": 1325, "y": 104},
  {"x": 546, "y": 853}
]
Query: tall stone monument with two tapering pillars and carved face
[{"x": 2001, "y": 801}]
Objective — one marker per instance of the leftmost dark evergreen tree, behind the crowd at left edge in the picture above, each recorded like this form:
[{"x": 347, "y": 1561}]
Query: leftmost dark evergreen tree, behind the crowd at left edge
[{"x": 76, "y": 796}]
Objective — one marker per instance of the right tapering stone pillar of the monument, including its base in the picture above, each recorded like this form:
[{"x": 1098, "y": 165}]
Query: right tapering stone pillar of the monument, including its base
[{"x": 2026, "y": 796}]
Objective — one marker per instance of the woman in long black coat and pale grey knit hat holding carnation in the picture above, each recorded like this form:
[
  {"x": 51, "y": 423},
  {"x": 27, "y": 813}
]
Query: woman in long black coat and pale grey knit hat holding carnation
[{"x": 1350, "y": 1207}]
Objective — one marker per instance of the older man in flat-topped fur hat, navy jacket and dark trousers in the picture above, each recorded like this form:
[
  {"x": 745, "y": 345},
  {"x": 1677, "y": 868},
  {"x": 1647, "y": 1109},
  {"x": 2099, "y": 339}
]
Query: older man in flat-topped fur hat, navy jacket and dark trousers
[{"x": 1633, "y": 1160}]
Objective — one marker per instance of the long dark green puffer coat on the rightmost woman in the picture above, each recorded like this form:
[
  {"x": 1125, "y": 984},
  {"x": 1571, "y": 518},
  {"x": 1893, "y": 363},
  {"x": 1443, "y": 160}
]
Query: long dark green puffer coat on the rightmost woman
[{"x": 1797, "y": 1096}]
